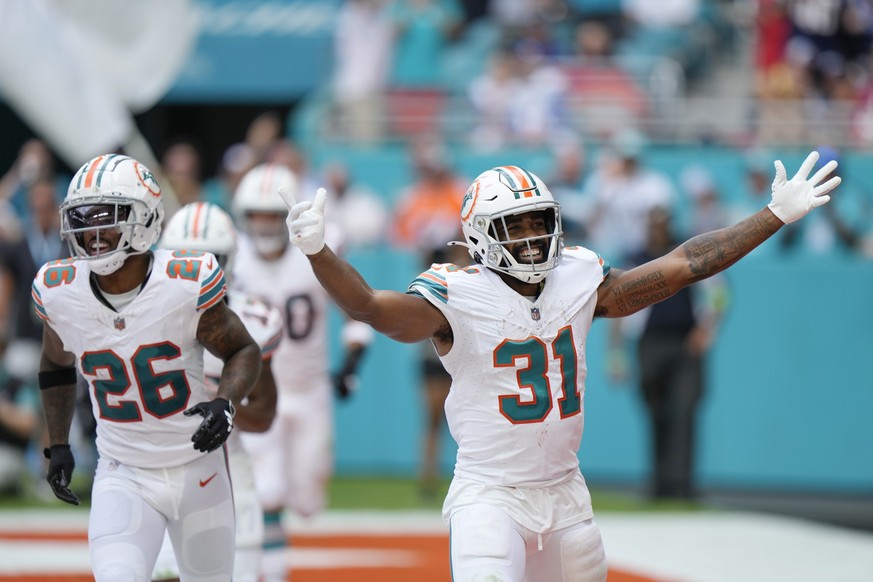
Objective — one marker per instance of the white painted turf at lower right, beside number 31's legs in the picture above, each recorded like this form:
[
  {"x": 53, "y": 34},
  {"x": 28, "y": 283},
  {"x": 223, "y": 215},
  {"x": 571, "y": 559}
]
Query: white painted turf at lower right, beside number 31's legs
[{"x": 727, "y": 547}]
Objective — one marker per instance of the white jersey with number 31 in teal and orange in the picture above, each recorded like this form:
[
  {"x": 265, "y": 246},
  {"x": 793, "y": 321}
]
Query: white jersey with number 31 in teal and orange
[{"x": 518, "y": 368}]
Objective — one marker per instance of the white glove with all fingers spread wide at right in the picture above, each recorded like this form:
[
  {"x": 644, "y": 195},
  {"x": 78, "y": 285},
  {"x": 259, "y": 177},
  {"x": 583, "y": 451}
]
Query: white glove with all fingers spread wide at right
[{"x": 794, "y": 198}]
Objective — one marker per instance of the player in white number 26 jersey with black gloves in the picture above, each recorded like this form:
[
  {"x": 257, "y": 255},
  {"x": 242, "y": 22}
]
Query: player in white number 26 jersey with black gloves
[{"x": 135, "y": 323}]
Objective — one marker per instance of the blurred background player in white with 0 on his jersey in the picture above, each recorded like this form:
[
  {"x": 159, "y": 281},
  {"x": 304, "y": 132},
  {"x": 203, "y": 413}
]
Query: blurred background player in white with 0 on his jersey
[{"x": 293, "y": 460}]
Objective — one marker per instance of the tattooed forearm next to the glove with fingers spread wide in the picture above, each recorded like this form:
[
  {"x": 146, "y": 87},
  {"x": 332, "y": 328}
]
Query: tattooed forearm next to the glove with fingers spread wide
[{"x": 713, "y": 252}]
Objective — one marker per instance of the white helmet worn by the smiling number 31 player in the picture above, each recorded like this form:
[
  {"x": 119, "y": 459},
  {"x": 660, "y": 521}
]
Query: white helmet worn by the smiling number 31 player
[{"x": 509, "y": 191}]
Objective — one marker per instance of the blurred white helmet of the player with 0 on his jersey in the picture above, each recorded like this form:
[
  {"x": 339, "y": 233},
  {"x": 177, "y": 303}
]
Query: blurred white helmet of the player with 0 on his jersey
[{"x": 258, "y": 192}]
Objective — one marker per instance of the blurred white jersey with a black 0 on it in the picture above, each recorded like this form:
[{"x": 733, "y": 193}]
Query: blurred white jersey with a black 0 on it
[{"x": 289, "y": 285}]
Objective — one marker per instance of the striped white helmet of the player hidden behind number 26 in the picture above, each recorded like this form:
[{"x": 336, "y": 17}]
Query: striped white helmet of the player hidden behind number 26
[{"x": 204, "y": 227}]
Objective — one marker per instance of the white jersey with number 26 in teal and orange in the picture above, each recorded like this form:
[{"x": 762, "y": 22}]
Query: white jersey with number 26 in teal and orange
[{"x": 144, "y": 365}]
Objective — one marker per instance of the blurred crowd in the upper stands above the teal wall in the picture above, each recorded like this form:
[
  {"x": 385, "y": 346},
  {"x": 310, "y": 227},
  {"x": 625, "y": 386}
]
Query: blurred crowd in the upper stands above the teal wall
[{"x": 526, "y": 71}]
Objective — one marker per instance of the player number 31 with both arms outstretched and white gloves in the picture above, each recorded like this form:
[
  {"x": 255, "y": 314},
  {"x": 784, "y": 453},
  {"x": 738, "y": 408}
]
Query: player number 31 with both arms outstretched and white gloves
[{"x": 512, "y": 332}]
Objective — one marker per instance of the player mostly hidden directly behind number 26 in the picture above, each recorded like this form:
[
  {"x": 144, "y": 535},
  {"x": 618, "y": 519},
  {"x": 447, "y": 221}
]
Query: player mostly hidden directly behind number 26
[{"x": 205, "y": 227}]
